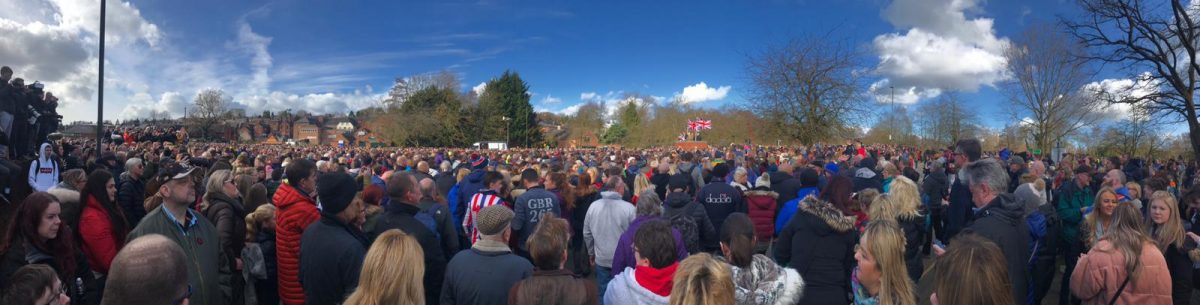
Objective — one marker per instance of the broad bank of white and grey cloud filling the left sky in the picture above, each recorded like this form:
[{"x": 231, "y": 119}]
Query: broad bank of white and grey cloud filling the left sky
[{"x": 56, "y": 43}]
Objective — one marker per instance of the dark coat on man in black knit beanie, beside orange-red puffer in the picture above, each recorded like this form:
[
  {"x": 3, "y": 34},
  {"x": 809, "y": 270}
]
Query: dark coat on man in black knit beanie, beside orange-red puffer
[{"x": 332, "y": 255}]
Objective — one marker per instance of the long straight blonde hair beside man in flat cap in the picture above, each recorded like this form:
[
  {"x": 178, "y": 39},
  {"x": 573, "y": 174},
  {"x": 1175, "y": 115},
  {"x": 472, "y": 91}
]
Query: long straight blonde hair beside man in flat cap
[{"x": 393, "y": 273}]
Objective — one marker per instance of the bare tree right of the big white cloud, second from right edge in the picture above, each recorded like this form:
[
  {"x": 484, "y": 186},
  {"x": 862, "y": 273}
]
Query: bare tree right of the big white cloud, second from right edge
[{"x": 1047, "y": 86}]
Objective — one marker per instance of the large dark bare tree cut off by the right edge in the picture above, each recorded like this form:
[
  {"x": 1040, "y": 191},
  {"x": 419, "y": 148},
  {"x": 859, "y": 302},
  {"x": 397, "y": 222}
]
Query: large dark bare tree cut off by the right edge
[{"x": 1147, "y": 37}]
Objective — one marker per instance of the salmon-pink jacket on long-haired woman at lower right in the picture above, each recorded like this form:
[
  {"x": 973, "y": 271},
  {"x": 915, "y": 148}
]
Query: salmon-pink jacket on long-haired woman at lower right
[{"x": 1100, "y": 274}]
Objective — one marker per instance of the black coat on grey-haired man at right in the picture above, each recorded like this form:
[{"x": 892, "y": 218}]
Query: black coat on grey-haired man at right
[{"x": 1003, "y": 222}]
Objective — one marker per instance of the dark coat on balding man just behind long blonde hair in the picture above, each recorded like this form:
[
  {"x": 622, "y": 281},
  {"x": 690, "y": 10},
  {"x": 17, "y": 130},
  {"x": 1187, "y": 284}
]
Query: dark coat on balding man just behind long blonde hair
[{"x": 401, "y": 217}]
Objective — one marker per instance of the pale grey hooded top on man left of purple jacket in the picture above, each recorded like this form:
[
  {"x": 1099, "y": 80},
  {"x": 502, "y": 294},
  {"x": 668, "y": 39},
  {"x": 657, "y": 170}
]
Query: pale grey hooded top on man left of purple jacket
[{"x": 604, "y": 224}]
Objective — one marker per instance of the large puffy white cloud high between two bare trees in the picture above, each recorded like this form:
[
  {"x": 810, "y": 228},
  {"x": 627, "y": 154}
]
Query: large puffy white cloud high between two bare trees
[{"x": 941, "y": 49}]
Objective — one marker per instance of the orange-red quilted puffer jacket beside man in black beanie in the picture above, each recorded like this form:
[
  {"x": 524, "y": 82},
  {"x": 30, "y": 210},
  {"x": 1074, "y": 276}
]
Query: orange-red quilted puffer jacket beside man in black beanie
[{"x": 296, "y": 213}]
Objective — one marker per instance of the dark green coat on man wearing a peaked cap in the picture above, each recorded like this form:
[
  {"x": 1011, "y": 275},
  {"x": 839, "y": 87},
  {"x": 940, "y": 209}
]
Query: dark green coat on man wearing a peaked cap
[{"x": 201, "y": 247}]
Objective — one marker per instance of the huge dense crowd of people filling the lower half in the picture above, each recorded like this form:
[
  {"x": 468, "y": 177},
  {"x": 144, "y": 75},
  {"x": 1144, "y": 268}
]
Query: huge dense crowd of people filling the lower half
[{"x": 158, "y": 223}]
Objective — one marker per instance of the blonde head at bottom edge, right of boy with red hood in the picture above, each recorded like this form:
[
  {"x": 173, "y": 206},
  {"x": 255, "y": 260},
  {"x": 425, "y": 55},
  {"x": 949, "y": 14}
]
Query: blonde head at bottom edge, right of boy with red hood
[{"x": 703, "y": 280}]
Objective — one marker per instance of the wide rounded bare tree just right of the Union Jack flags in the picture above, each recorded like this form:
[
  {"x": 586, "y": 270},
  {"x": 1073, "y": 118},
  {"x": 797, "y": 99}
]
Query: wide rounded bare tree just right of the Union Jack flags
[{"x": 809, "y": 88}]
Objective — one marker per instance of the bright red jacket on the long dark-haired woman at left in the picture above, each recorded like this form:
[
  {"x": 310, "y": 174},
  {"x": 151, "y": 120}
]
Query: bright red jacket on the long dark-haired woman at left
[{"x": 100, "y": 240}]
